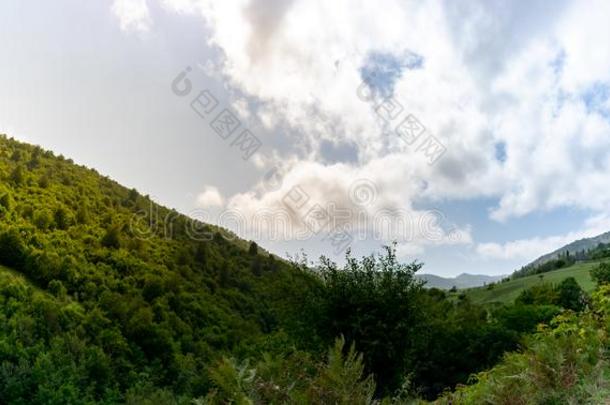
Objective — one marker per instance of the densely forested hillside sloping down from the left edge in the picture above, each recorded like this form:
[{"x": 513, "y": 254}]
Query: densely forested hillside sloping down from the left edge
[{"x": 139, "y": 297}]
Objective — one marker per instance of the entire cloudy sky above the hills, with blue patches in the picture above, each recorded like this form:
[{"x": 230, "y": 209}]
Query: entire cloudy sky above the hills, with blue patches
[{"x": 474, "y": 134}]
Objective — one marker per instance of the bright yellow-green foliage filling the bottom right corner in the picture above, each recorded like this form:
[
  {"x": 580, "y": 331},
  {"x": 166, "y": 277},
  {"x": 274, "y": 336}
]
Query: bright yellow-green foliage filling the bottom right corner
[{"x": 565, "y": 362}]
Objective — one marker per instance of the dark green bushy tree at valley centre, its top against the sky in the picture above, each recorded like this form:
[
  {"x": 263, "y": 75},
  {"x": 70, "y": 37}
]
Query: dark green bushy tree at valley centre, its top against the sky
[{"x": 373, "y": 302}]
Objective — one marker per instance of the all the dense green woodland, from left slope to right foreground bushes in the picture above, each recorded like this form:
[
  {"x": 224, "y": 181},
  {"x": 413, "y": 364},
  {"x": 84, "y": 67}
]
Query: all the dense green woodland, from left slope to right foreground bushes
[{"x": 107, "y": 297}]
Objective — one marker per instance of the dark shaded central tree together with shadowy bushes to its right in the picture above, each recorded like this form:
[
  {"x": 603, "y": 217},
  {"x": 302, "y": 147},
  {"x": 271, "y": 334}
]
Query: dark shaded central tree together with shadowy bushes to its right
[{"x": 407, "y": 332}]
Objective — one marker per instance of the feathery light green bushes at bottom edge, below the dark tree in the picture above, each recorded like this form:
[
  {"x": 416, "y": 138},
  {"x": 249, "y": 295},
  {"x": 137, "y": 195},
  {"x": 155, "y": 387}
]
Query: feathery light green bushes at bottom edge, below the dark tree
[{"x": 339, "y": 380}]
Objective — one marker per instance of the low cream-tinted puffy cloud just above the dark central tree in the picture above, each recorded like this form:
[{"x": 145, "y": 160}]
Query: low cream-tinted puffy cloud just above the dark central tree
[{"x": 314, "y": 200}]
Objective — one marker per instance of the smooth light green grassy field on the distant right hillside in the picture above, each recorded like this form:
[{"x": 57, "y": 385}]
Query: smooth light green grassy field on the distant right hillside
[{"x": 508, "y": 291}]
